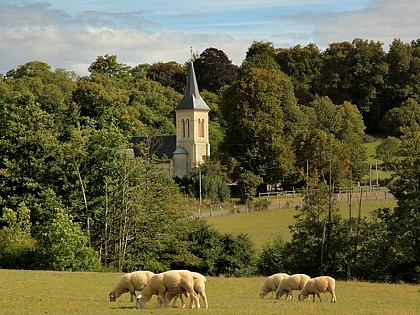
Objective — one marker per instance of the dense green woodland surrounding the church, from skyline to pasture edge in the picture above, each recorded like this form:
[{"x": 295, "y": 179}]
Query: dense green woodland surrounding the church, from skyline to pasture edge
[{"x": 71, "y": 197}]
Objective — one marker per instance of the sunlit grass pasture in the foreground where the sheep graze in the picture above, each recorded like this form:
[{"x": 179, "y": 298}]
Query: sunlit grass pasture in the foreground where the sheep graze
[{"x": 47, "y": 292}]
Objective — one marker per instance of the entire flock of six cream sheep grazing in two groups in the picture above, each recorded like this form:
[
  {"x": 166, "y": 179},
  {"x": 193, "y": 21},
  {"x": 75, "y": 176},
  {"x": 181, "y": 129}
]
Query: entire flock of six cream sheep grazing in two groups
[{"x": 174, "y": 284}]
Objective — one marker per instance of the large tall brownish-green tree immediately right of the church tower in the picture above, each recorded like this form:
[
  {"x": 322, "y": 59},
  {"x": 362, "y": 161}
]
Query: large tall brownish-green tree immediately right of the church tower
[{"x": 252, "y": 109}]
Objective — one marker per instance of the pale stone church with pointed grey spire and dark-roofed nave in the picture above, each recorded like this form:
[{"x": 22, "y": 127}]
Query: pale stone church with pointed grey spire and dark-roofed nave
[{"x": 186, "y": 149}]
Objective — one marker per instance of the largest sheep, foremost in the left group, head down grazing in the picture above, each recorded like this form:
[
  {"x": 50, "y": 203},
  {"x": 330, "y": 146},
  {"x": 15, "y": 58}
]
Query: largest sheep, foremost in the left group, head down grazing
[{"x": 174, "y": 282}]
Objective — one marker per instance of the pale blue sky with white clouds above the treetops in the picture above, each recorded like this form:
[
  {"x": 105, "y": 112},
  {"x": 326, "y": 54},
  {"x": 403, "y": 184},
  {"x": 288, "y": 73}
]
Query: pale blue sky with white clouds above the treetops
[{"x": 71, "y": 34}]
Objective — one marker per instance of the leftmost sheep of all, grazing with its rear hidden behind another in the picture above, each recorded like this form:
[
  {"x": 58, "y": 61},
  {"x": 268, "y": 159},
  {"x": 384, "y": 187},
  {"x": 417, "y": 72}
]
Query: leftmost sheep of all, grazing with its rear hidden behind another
[{"x": 130, "y": 282}]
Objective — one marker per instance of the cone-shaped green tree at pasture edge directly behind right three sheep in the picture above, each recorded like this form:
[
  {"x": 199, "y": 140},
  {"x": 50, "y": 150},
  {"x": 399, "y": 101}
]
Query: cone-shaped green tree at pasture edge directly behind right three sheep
[{"x": 318, "y": 235}]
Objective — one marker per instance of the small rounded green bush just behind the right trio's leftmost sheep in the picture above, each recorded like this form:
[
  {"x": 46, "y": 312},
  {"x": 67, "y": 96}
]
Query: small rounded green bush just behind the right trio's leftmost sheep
[{"x": 271, "y": 259}]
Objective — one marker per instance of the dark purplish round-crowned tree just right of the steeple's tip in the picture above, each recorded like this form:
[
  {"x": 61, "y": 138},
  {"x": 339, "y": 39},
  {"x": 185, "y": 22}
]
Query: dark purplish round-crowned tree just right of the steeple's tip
[{"x": 213, "y": 70}]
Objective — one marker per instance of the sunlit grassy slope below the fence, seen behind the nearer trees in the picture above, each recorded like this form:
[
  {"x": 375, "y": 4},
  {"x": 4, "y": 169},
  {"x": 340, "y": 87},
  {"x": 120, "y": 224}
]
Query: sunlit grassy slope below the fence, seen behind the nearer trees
[{"x": 266, "y": 225}]
